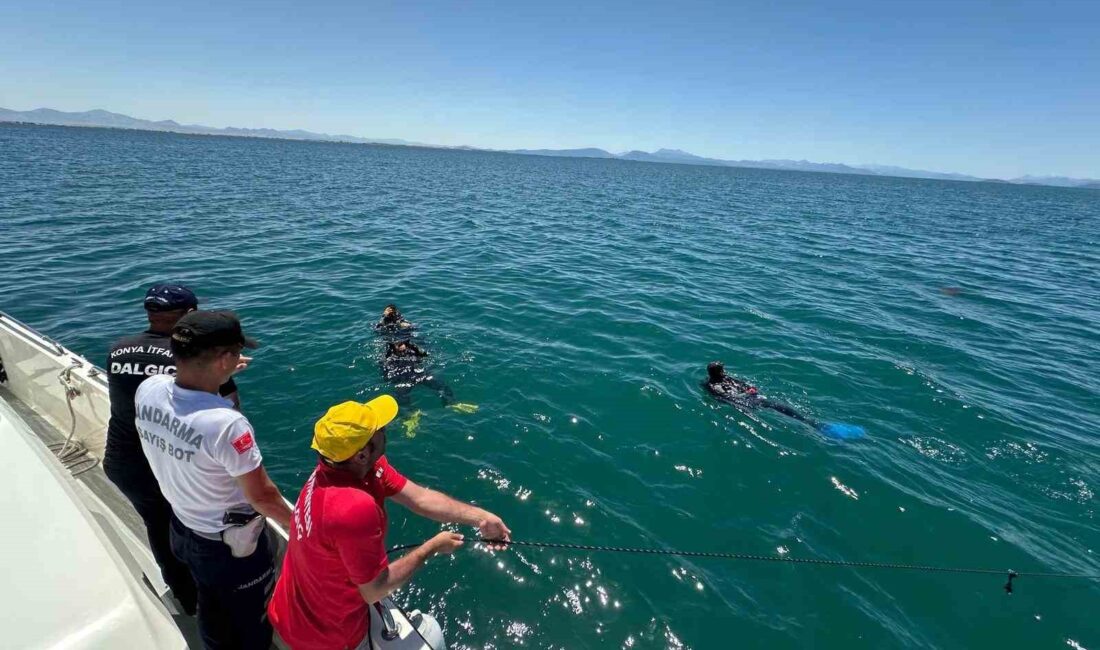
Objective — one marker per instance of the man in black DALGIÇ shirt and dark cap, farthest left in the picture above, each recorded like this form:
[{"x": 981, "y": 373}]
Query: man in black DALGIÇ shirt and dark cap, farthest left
[{"x": 131, "y": 361}]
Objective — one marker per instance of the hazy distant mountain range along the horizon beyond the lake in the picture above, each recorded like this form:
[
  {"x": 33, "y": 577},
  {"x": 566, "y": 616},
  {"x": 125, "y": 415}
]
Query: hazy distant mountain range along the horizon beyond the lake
[{"x": 106, "y": 119}]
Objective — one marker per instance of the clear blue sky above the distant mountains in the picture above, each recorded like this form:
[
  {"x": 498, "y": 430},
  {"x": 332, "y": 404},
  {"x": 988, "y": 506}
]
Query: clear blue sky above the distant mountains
[{"x": 994, "y": 89}]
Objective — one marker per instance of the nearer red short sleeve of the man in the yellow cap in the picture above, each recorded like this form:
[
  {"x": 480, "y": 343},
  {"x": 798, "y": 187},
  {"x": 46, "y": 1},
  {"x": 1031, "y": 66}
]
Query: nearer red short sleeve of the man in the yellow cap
[{"x": 354, "y": 524}]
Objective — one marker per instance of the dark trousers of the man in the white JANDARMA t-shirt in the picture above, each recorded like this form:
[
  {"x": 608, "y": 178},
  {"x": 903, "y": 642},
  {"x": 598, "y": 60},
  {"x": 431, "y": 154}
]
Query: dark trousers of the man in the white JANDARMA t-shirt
[{"x": 233, "y": 592}]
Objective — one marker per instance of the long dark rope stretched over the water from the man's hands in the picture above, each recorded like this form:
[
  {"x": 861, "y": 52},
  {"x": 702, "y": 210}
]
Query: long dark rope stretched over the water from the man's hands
[{"x": 819, "y": 561}]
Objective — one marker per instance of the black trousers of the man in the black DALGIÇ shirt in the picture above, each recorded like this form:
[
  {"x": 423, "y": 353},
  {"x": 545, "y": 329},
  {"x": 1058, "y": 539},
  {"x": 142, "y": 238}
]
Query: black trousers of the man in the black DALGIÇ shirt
[{"x": 138, "y": 484}]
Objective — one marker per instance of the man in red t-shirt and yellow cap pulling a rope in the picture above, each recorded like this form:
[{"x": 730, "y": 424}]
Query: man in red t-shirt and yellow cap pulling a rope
[{"x": 336, "y": 566}]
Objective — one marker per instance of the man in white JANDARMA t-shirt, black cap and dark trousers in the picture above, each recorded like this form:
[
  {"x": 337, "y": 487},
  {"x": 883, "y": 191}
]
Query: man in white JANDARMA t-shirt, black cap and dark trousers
[{"x": 205, "y": 457}]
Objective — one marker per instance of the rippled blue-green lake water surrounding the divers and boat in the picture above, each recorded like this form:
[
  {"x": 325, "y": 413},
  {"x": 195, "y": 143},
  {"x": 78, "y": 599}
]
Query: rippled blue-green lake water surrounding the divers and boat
[{"x": 578, "y": 302}]
